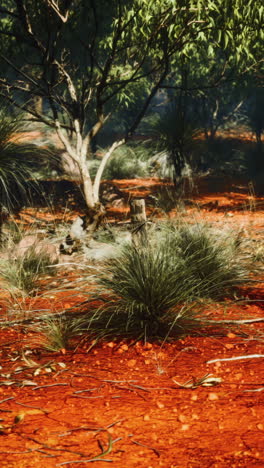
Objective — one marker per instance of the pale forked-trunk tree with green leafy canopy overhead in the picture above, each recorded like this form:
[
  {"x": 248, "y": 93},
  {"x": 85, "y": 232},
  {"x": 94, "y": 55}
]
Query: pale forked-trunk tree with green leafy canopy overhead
[{"x": 85, "y": 58}]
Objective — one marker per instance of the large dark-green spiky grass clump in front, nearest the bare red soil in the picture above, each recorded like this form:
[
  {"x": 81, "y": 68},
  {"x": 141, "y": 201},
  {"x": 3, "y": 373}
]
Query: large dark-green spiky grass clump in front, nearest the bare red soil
[{"x": 144, "y": 291}]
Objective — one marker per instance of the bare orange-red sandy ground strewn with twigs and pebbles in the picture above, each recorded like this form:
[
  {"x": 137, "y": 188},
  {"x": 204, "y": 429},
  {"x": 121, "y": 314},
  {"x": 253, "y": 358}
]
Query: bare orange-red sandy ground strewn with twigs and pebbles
[{"x": 124, "y": 403}]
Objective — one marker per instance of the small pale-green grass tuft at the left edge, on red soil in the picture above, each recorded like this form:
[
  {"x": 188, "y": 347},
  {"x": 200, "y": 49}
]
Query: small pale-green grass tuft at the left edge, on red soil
[{"x": 24, "y": 271}]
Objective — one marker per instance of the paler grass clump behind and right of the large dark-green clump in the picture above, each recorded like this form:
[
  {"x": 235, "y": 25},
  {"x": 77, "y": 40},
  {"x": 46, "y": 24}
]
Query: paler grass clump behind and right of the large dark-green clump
[{"x": 211, "y": 260}]
